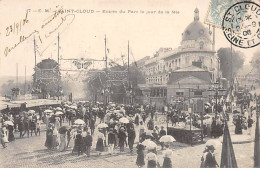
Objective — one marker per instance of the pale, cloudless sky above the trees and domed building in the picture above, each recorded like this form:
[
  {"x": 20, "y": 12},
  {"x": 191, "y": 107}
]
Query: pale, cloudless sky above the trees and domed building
[{"x": 82, "y": 34}]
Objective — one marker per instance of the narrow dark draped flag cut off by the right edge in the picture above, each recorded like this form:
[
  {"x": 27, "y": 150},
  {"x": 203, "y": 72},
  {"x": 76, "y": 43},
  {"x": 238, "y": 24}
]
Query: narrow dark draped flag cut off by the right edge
[{"x": 257, "y": 145}]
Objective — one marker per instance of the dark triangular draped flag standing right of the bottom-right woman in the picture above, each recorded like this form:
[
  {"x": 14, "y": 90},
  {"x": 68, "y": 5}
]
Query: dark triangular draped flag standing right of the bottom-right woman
[{"x": 228, "y": 159}]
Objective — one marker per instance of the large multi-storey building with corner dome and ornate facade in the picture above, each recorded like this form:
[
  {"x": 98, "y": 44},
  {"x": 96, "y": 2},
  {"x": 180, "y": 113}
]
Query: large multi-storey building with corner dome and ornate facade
[{"x": 175, "y": 73}]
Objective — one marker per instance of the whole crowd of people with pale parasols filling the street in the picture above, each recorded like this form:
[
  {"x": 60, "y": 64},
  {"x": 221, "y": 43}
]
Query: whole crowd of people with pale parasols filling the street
[{"x": 80, "y": 126}]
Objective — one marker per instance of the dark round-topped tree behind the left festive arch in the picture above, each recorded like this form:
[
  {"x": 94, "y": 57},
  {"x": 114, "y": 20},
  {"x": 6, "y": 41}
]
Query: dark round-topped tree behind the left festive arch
[{"x": 47, "y": 78}]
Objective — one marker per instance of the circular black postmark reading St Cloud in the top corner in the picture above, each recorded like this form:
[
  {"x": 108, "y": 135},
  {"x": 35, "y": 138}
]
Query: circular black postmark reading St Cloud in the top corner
[{"x": 241, "y": 24}]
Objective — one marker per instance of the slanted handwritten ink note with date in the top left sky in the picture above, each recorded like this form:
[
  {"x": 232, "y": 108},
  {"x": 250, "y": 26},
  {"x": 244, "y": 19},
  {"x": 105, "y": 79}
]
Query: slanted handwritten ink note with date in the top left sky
[{"x": 53, "y": 24}]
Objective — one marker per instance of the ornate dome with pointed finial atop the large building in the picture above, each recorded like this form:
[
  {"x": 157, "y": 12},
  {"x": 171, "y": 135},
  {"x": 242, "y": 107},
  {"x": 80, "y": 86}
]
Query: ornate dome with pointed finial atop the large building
[{"x": 196, "y": 29}]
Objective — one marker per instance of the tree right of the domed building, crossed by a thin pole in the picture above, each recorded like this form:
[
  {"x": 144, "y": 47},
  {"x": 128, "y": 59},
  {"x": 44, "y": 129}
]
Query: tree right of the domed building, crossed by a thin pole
[{"x": 237, "y": 61}]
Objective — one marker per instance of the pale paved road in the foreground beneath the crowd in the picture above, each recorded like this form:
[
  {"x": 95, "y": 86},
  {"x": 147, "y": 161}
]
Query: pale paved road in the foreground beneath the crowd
[{"x": 30, "y": 152}]
